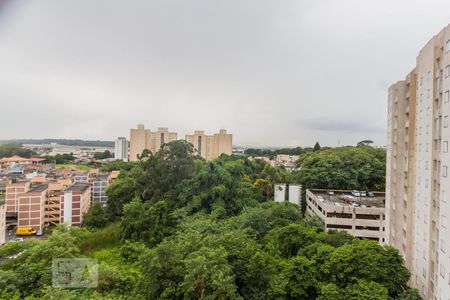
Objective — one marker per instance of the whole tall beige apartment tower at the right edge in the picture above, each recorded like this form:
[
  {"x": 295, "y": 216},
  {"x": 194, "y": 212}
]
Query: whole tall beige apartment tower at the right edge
[{"x": 418, "y": 183}]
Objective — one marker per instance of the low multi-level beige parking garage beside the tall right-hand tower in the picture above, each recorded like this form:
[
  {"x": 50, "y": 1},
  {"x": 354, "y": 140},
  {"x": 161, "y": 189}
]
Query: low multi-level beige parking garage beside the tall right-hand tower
[{"x": 361, "y": 217}]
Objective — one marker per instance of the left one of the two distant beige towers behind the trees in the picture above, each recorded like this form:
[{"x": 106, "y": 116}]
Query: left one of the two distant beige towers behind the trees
[{"x": 141, "y": 139}]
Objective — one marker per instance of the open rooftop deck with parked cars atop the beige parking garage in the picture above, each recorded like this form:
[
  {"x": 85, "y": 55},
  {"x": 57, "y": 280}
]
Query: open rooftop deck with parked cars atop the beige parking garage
[{"x": 345, "y": 198}]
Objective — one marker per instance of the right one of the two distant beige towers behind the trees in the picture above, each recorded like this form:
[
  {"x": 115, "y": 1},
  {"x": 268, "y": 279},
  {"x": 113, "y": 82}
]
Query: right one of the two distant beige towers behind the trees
[{"x": 211, "y": 146}]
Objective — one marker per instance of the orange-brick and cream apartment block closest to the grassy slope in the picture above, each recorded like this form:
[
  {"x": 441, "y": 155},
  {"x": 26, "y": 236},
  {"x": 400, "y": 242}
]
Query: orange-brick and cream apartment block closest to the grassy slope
[{"x": 76, "y": 202}]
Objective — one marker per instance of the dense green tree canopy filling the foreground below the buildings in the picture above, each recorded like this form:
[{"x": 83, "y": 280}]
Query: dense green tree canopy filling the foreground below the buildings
[{"x": 179, "y": 227}]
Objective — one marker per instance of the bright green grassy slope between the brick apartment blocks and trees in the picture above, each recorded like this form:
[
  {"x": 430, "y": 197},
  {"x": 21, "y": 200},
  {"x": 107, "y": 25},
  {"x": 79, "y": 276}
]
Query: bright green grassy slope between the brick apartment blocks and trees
[{"x": 107, "y": 237}]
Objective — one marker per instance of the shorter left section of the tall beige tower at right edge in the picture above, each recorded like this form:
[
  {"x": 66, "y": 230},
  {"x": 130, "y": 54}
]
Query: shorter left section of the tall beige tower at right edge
[{"x": 400, "y": 177}]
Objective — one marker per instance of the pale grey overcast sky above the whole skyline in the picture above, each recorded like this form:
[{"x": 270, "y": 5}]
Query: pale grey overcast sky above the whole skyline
[{"x": 274, "y": 73}]
